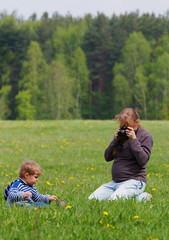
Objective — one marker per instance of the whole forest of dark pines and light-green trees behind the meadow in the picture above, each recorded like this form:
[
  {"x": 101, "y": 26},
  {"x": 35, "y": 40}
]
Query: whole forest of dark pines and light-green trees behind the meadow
[{"x": 62, "y": 67}]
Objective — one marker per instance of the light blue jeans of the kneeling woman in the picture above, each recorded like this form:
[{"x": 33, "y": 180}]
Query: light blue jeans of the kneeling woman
[{"x": 113, "y": 190}]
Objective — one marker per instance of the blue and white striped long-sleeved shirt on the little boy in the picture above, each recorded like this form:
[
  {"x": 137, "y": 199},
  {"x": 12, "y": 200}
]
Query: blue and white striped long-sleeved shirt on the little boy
[{"x": 14, "y": 193}]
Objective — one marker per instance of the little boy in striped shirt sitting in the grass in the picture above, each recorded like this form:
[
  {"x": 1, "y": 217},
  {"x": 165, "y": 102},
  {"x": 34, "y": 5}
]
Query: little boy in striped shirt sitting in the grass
[{"x": 22, "y": 191}]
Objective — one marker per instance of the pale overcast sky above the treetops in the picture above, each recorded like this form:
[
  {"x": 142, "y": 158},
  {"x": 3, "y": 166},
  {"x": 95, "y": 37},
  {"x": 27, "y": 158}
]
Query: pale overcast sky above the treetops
[{"x": 78, "y": 8}]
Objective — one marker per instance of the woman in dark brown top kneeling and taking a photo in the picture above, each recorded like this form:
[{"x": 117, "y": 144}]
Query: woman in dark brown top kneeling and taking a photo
[{"x": 131, "y": 150}]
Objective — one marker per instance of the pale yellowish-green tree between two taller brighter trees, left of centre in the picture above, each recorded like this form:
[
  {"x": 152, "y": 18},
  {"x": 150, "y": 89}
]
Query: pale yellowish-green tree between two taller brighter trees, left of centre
[{"x": 59, "y": 91}]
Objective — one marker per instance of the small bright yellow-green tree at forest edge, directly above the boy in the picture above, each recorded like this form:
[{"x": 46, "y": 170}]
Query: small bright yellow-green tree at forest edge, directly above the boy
[{"x": 25, "y": 110}]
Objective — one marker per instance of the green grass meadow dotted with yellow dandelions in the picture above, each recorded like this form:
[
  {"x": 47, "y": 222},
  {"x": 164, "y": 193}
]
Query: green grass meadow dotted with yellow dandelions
[{"x": 71, "y": 155}]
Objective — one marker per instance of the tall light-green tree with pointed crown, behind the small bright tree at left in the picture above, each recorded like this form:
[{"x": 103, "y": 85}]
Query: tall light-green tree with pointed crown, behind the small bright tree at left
[{"x": 33, "y": 77}]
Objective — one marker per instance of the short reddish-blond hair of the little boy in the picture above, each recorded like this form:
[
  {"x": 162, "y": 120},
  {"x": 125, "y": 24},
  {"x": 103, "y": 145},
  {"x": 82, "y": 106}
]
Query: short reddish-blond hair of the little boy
[{"x": 30, "y": 167}]
